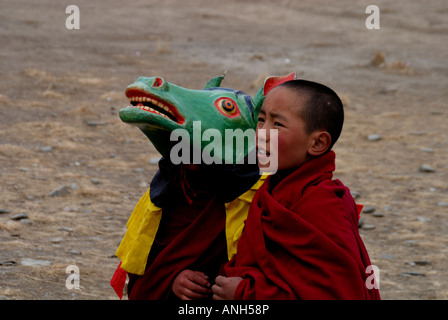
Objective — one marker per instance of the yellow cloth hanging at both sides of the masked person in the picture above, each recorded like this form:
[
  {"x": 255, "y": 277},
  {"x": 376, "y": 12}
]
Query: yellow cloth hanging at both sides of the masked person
[{"x": 142, "y": 227}]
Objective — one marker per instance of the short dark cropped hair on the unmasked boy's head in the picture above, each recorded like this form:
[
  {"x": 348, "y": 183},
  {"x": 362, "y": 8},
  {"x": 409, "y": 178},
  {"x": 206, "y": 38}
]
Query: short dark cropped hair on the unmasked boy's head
[{"x": 322, "y": 108}]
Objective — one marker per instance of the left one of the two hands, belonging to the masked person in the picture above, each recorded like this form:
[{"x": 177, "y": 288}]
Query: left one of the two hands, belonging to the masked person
[{"x": 190, "y": 285}]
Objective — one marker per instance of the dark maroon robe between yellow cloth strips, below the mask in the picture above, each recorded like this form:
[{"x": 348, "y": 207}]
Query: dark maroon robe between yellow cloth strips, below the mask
[{"x": 191, "y": 236}]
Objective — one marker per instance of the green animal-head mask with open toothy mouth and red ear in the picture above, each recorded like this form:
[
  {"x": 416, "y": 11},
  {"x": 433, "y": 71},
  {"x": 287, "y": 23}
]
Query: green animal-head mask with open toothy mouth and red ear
[{"x": 159, "y": 108}]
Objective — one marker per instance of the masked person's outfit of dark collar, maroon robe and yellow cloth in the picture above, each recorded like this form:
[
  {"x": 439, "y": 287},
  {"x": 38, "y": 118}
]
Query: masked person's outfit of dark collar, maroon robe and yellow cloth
[{"x": 202, "y": 213}]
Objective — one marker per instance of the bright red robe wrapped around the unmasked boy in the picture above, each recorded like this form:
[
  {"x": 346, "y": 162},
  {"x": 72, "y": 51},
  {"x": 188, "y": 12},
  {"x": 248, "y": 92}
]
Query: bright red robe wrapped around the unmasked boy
[{"x": 301, "y": 239}]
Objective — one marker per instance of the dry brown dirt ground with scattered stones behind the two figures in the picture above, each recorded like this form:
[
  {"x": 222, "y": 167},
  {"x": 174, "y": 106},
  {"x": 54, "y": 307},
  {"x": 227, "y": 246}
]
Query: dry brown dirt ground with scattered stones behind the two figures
[{"x": 61, "y": 89}]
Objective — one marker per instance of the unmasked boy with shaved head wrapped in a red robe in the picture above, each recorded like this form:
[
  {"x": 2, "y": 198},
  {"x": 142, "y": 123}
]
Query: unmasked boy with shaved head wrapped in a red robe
[{"x": 301, "y": 238}]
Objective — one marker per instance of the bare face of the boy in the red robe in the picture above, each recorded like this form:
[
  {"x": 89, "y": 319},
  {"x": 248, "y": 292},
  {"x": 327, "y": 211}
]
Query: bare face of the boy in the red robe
[{"x": 279, "y": 111}]
